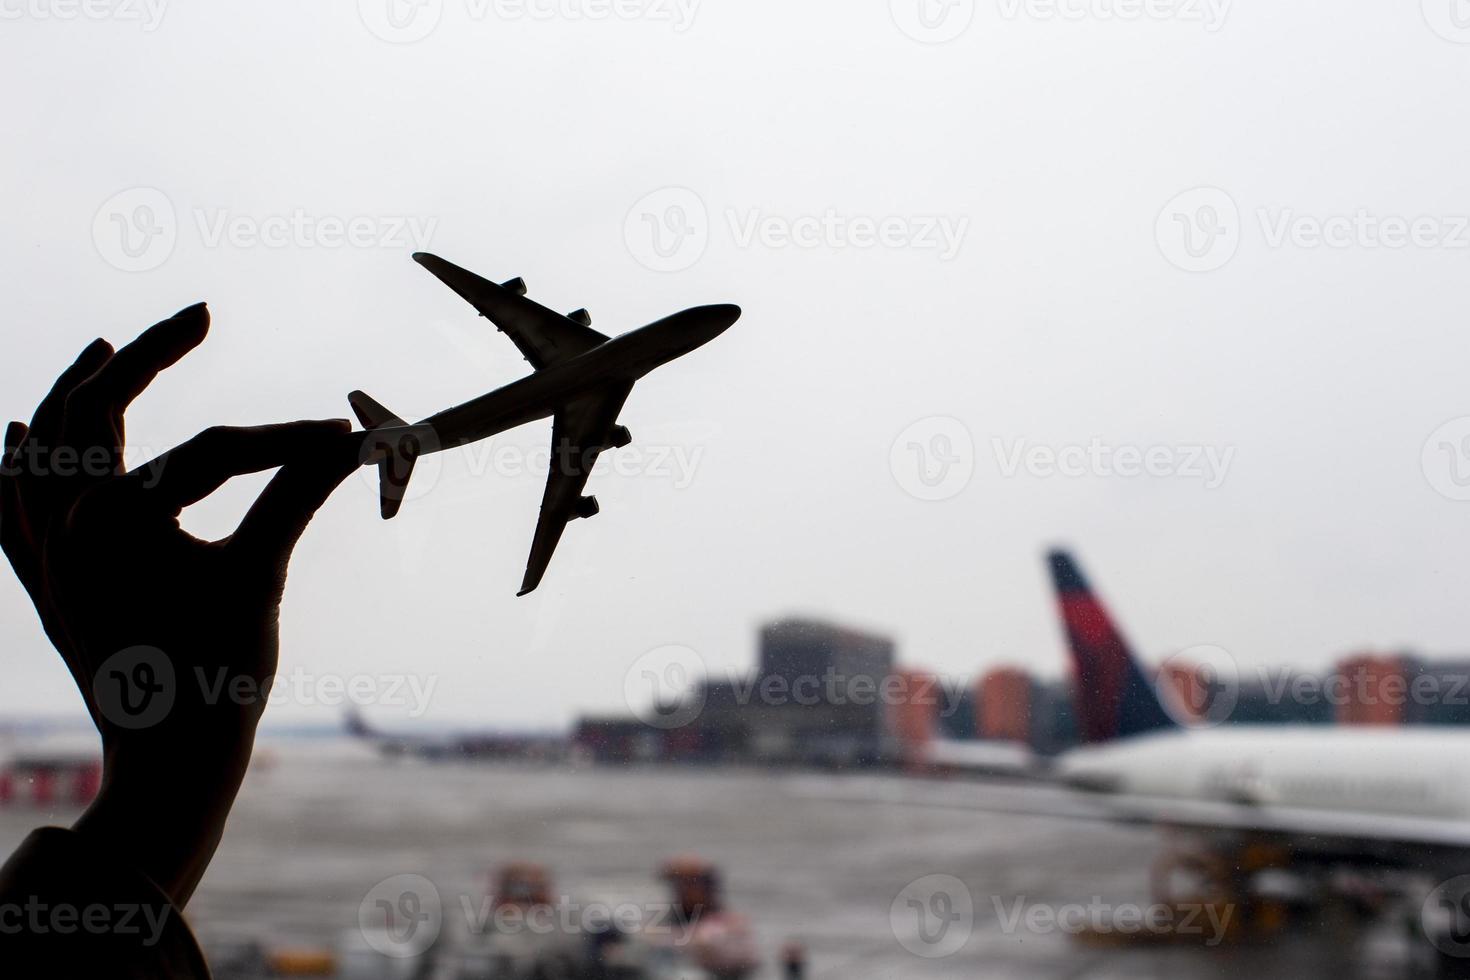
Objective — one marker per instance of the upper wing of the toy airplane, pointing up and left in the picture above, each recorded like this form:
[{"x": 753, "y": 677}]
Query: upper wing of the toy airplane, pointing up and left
[{"x": 543, "y": 336}]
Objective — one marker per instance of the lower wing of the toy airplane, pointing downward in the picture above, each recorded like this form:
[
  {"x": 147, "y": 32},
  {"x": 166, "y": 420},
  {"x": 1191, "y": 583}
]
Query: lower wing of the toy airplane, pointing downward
[{"x": 580, "y": 433}]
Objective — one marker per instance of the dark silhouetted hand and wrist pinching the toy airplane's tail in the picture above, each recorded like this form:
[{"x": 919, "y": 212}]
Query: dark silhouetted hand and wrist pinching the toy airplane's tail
[{"x": 171, "y": 640}]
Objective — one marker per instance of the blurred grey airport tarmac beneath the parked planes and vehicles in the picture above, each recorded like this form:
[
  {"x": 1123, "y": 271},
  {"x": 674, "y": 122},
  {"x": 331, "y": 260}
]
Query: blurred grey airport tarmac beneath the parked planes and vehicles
[{"x": 877, "y": 876}]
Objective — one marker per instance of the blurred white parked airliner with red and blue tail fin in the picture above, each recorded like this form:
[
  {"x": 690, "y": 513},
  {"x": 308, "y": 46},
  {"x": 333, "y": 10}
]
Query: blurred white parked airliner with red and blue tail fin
[{"x": 1338, "y": 793}]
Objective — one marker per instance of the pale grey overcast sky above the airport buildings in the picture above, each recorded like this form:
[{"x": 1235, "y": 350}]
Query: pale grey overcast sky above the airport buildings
[{"x": 1062, "y": 230}]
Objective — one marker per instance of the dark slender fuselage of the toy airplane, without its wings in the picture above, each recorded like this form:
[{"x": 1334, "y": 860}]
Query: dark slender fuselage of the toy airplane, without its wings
[{"x": 621, "y": 361}]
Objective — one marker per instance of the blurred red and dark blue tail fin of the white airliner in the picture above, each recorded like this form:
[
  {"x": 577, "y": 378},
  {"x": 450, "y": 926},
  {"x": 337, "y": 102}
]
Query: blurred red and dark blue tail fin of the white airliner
[{"x": 1115, "y": 699}]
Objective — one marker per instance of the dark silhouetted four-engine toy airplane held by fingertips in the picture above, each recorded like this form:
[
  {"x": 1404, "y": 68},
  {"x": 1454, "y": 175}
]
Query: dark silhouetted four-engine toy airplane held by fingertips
[{"x": 581, "y": 378}]
